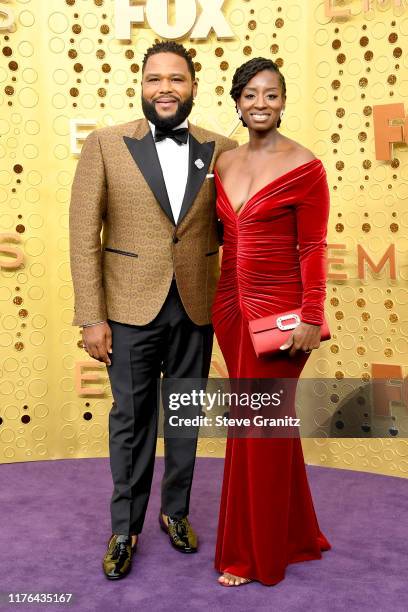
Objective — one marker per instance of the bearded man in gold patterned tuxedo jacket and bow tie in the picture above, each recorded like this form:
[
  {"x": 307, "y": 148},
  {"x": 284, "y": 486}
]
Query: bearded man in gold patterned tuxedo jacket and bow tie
[{"x": 144, "y": 261}]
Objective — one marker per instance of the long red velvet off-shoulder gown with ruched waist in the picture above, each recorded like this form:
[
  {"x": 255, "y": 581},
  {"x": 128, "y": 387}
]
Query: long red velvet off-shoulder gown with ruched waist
[{"x": 273, "y": 260}]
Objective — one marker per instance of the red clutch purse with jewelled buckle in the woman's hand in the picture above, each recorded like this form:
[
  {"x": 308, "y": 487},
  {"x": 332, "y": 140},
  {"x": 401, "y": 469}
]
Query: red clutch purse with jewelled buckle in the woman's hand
[{"x": 269, "y": 333}]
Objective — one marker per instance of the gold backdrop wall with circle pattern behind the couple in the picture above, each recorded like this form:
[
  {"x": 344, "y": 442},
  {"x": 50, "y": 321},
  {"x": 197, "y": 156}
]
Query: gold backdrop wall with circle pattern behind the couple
[{"x": 62, "y": 61}]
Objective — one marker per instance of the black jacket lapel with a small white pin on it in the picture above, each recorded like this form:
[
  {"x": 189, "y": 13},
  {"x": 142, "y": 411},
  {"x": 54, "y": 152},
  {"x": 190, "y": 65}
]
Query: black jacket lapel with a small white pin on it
[{"x": 201, "y": 153}]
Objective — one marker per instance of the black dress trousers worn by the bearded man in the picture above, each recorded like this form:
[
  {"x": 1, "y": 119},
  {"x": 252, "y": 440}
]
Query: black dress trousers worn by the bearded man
[{"x": 173, "y": 345}]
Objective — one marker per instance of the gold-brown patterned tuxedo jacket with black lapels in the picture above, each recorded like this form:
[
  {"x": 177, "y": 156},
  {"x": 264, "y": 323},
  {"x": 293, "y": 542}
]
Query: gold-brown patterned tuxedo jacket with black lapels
[{"x": 124, "y": 244}]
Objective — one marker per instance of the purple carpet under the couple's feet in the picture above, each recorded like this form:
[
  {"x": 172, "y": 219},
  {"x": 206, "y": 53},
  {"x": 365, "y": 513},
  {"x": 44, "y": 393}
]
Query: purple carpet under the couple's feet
[{"x": 55, "y": 524}]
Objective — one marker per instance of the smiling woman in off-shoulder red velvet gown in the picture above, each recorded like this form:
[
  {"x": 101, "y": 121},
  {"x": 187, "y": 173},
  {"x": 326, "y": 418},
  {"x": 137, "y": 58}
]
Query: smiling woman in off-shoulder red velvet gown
[{"x": 273, "y": 202}]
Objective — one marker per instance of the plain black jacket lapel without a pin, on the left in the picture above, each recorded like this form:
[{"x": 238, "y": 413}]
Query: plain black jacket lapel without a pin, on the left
[{"x": 145, "y": 155}]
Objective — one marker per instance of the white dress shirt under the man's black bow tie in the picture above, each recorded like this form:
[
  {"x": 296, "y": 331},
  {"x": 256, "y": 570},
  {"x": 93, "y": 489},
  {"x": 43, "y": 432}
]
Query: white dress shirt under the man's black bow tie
[{"x": 173, "y": 159}]
